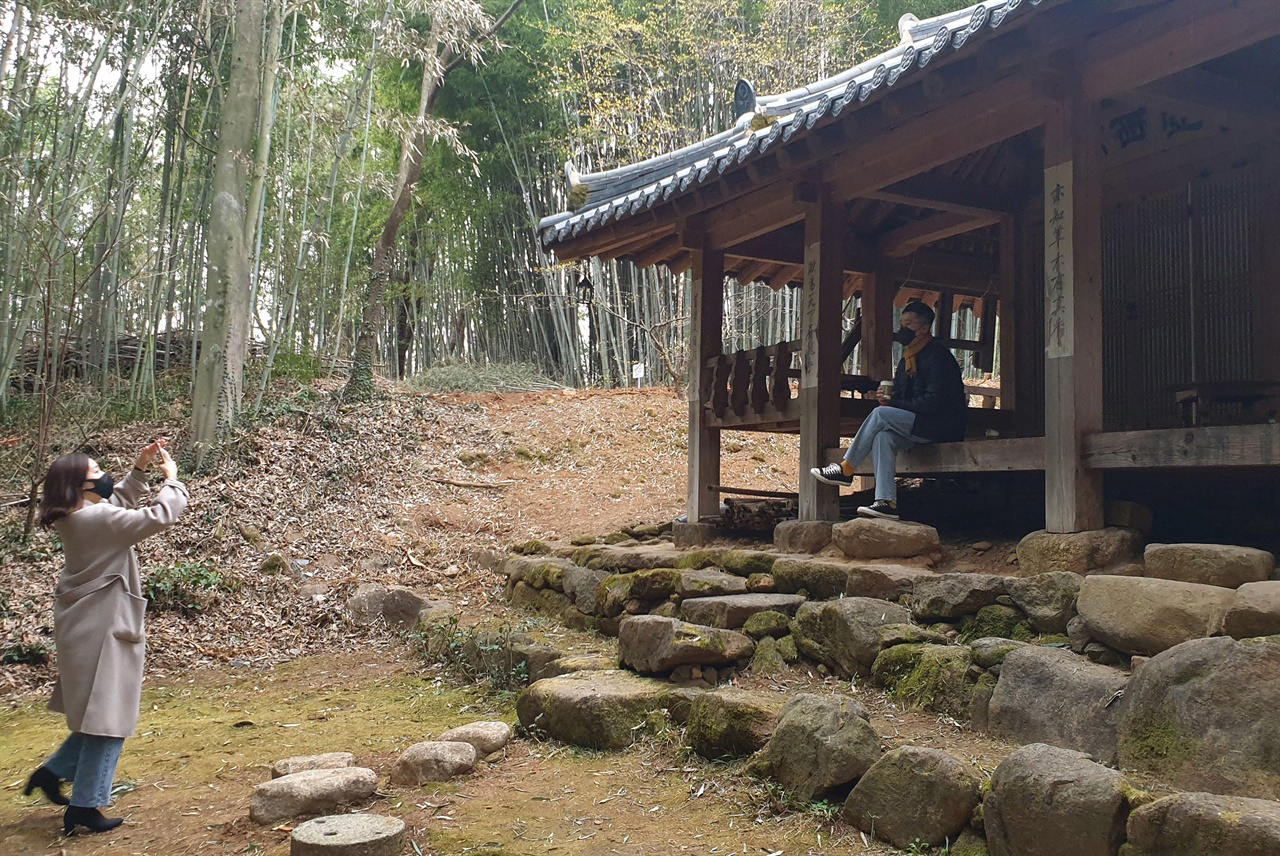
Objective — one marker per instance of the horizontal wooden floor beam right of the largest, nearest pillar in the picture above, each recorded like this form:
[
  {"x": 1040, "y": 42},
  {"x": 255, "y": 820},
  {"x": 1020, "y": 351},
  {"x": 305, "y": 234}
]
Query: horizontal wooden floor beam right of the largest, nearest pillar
[{"x": 1231, "y": 446}]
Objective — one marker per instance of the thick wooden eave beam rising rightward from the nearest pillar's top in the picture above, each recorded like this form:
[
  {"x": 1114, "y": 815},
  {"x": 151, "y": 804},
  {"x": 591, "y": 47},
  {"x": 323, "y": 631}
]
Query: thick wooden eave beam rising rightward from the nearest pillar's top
[{"x": 1173, "y": 38}]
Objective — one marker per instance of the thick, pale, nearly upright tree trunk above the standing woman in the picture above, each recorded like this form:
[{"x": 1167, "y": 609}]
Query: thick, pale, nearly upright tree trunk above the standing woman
[{"x": 225, "y": 342}]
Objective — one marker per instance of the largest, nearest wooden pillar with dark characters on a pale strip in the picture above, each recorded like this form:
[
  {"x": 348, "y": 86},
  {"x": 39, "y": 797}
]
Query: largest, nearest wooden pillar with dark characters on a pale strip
[{"x": 1073, "y": 314}]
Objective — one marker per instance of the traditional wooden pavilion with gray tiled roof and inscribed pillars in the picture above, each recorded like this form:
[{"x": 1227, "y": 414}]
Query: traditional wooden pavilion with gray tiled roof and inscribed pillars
[{"x": 1098, "y": 181}]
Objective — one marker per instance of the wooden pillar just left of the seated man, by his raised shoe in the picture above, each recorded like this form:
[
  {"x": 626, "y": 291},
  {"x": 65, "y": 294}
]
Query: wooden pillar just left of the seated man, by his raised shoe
[{"x": 820, "y": 354}]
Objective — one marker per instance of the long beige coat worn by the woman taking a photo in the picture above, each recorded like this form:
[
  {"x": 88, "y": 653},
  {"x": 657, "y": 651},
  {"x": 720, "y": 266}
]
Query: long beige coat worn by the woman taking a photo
[{"x": 99, "y": 607}]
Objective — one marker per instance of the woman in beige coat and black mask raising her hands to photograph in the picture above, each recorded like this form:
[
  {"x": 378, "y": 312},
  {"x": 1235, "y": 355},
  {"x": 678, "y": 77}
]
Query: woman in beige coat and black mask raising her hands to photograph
[{"x": 99, "y": 621}]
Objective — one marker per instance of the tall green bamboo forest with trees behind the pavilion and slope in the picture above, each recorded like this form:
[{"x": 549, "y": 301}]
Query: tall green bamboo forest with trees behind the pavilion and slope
[{"x": 213, "y": 191}]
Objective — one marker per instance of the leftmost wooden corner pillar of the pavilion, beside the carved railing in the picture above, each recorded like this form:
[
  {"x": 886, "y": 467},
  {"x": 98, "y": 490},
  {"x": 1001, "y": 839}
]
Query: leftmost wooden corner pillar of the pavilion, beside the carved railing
[{"x": 706, "y": 342}]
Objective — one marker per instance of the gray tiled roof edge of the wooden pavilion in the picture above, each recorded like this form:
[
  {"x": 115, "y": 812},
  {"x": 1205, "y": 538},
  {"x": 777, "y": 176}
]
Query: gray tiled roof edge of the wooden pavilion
[{"x": 618, "y": 194}]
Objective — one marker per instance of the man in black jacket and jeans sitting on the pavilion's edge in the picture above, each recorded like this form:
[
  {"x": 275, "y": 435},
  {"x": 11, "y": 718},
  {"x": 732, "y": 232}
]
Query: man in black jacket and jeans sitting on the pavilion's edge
[{"x": 929, "y": 405}]
